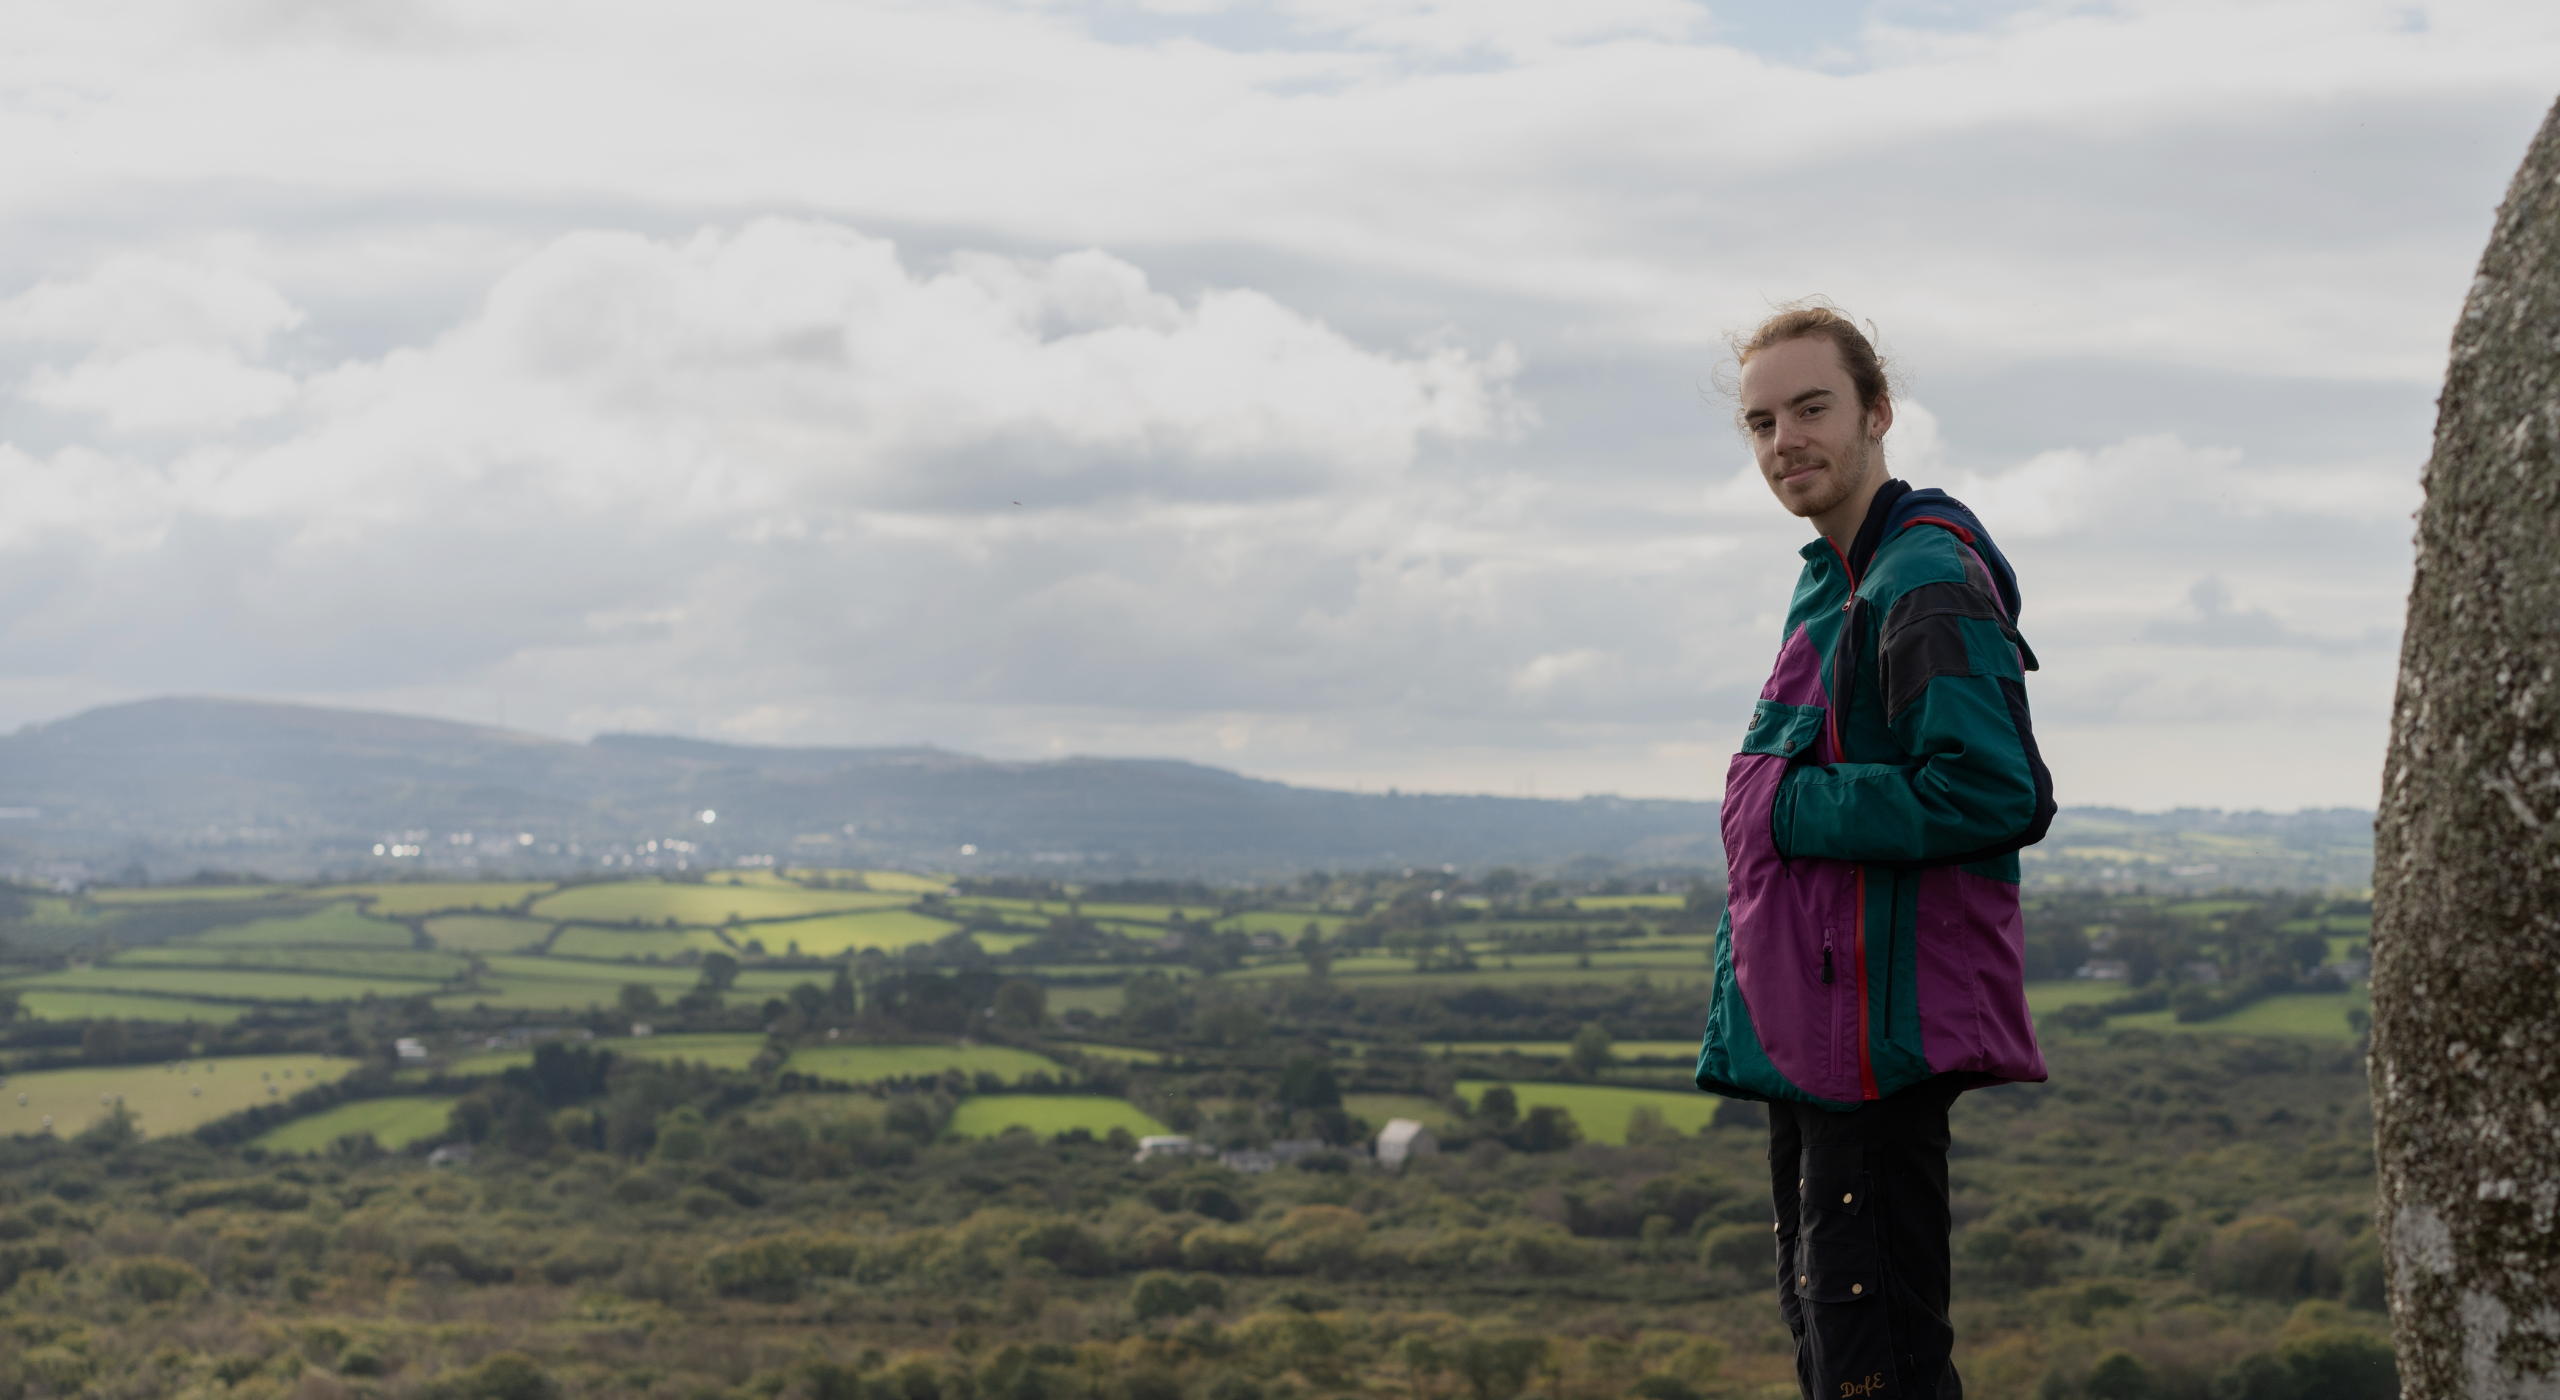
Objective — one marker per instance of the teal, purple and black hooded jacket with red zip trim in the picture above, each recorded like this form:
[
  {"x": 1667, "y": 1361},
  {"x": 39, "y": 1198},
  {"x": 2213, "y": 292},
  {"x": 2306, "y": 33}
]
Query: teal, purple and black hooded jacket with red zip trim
[{"x": 1873, "y": 825}]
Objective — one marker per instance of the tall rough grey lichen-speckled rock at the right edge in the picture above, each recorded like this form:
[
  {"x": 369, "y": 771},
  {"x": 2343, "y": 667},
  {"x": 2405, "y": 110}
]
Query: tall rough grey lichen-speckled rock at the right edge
[{"x": 2467, "y": 859}]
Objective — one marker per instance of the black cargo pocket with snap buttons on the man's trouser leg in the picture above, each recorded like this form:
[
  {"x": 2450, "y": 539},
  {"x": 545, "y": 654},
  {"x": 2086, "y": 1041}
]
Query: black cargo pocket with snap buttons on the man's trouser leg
[{"x": 1847, "y": 1350}]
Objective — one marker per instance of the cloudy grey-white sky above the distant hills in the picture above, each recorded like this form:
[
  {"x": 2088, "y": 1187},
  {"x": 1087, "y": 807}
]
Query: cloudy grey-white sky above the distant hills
[{"x": 1322, "y": 390}]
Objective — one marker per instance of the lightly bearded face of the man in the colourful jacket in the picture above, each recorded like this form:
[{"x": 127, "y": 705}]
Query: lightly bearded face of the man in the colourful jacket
[{"x": 1801, "y": 411}]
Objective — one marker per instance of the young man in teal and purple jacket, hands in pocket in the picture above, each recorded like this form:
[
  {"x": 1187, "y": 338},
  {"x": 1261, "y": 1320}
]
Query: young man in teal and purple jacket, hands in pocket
[{"x": 1870, "y": 964}]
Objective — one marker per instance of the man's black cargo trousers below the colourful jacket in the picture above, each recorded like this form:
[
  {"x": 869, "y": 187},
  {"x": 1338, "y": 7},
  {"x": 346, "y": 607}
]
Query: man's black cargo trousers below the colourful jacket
[{"x": 1862, "y": 1245}]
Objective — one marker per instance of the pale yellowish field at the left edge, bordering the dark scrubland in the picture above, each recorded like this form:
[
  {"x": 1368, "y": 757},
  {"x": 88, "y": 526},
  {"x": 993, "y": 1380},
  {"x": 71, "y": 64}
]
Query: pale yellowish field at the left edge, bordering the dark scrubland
[{"x": 163, "y": 1102}]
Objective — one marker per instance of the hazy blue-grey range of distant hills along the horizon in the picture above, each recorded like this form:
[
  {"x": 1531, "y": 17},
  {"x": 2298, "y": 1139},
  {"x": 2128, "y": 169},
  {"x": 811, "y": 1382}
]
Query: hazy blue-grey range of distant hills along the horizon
[{"x": 186, "y": 784}]
